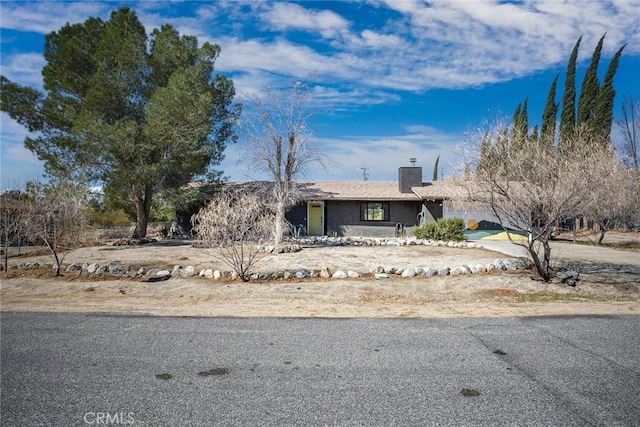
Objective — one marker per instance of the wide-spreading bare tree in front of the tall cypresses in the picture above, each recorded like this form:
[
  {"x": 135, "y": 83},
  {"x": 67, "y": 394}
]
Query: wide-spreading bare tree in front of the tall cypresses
[{"x": 529, "y": 187}]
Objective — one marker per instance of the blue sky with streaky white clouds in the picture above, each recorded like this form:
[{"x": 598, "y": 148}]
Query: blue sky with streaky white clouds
[{"x": 392, "y": 79}]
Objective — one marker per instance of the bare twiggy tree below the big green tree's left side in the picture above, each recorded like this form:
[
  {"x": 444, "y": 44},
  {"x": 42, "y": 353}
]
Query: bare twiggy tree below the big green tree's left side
[{"x": 59, "y": 217}]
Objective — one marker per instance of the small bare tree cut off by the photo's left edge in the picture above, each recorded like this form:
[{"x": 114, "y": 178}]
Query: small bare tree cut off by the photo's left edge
[{"x": 14, "y": 221}]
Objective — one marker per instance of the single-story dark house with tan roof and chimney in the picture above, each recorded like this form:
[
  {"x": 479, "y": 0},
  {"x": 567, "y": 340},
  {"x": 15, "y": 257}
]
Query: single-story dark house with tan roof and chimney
[{"x": 367, "y": 208}]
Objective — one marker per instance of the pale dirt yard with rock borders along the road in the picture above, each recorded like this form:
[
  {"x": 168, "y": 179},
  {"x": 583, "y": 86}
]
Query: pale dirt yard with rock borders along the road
[{"x": 606, "y": 285}]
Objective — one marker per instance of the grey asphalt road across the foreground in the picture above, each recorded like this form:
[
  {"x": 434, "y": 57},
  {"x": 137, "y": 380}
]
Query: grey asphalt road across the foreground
[{"x": 86, "y": 369}]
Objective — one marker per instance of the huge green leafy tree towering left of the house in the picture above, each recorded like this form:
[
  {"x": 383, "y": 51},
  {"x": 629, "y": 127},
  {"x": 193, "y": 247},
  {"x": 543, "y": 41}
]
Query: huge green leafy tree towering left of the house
[{"x": 133, "y": 113}]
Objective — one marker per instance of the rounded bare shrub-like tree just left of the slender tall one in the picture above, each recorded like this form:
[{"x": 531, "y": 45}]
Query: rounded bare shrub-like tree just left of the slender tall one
[{"x": 234, "y": 226}]
